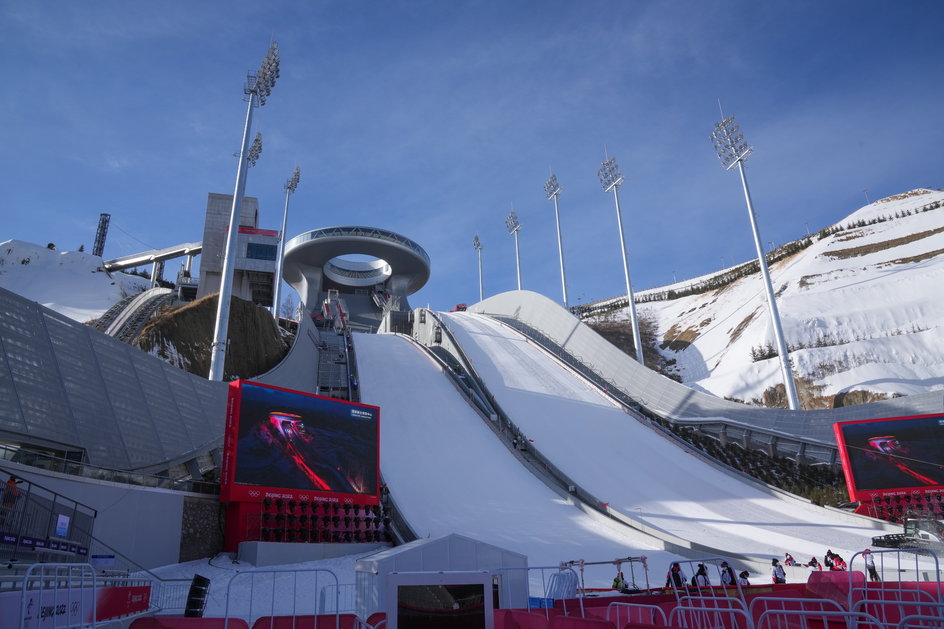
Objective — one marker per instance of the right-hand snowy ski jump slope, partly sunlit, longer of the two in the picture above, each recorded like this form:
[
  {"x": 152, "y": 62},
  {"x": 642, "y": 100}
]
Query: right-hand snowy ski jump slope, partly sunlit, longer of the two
[{"x": 638, "y": 471}]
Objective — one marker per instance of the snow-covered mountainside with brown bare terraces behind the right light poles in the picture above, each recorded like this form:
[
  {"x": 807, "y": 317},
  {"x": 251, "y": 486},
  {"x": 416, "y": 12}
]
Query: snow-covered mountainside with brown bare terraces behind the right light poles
[{"x": 860, "y": 303}]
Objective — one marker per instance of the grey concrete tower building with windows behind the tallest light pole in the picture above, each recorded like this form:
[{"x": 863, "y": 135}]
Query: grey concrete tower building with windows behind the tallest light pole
[{"x": 256, "y": 251}]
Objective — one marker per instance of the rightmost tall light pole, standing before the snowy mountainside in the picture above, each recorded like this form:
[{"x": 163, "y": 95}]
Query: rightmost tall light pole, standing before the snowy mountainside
[{"x": 733, "y": 151}]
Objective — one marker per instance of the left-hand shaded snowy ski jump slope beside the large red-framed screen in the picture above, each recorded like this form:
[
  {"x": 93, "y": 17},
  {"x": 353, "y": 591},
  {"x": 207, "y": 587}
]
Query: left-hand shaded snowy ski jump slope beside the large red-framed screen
[{"x": 449, "y": 473}]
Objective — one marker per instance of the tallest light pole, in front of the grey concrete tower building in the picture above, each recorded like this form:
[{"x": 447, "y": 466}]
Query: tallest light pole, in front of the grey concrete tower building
[{"x": 257, "y": 90}]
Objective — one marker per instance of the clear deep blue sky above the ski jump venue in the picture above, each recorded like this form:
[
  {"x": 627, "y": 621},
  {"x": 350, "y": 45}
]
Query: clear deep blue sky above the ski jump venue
[{"x": 434, "y": 119}]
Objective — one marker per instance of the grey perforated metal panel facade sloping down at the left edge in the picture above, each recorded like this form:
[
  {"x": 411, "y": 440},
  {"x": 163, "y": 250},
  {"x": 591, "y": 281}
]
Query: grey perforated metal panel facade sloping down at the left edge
[{"x": 67, "y": 385}]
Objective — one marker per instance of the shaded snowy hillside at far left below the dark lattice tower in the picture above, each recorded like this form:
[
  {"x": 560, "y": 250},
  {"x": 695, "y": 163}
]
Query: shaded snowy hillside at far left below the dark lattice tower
[{"x": 72, "y": 283}]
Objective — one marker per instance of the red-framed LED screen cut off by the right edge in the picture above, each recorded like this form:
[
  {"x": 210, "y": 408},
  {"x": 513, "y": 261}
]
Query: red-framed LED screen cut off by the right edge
[{"x": 898, "y": 455}]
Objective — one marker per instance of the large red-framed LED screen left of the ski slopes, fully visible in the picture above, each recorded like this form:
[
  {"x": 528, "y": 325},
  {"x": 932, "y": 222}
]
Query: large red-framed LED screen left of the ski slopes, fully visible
[{"x": 297, "y": 446}]
